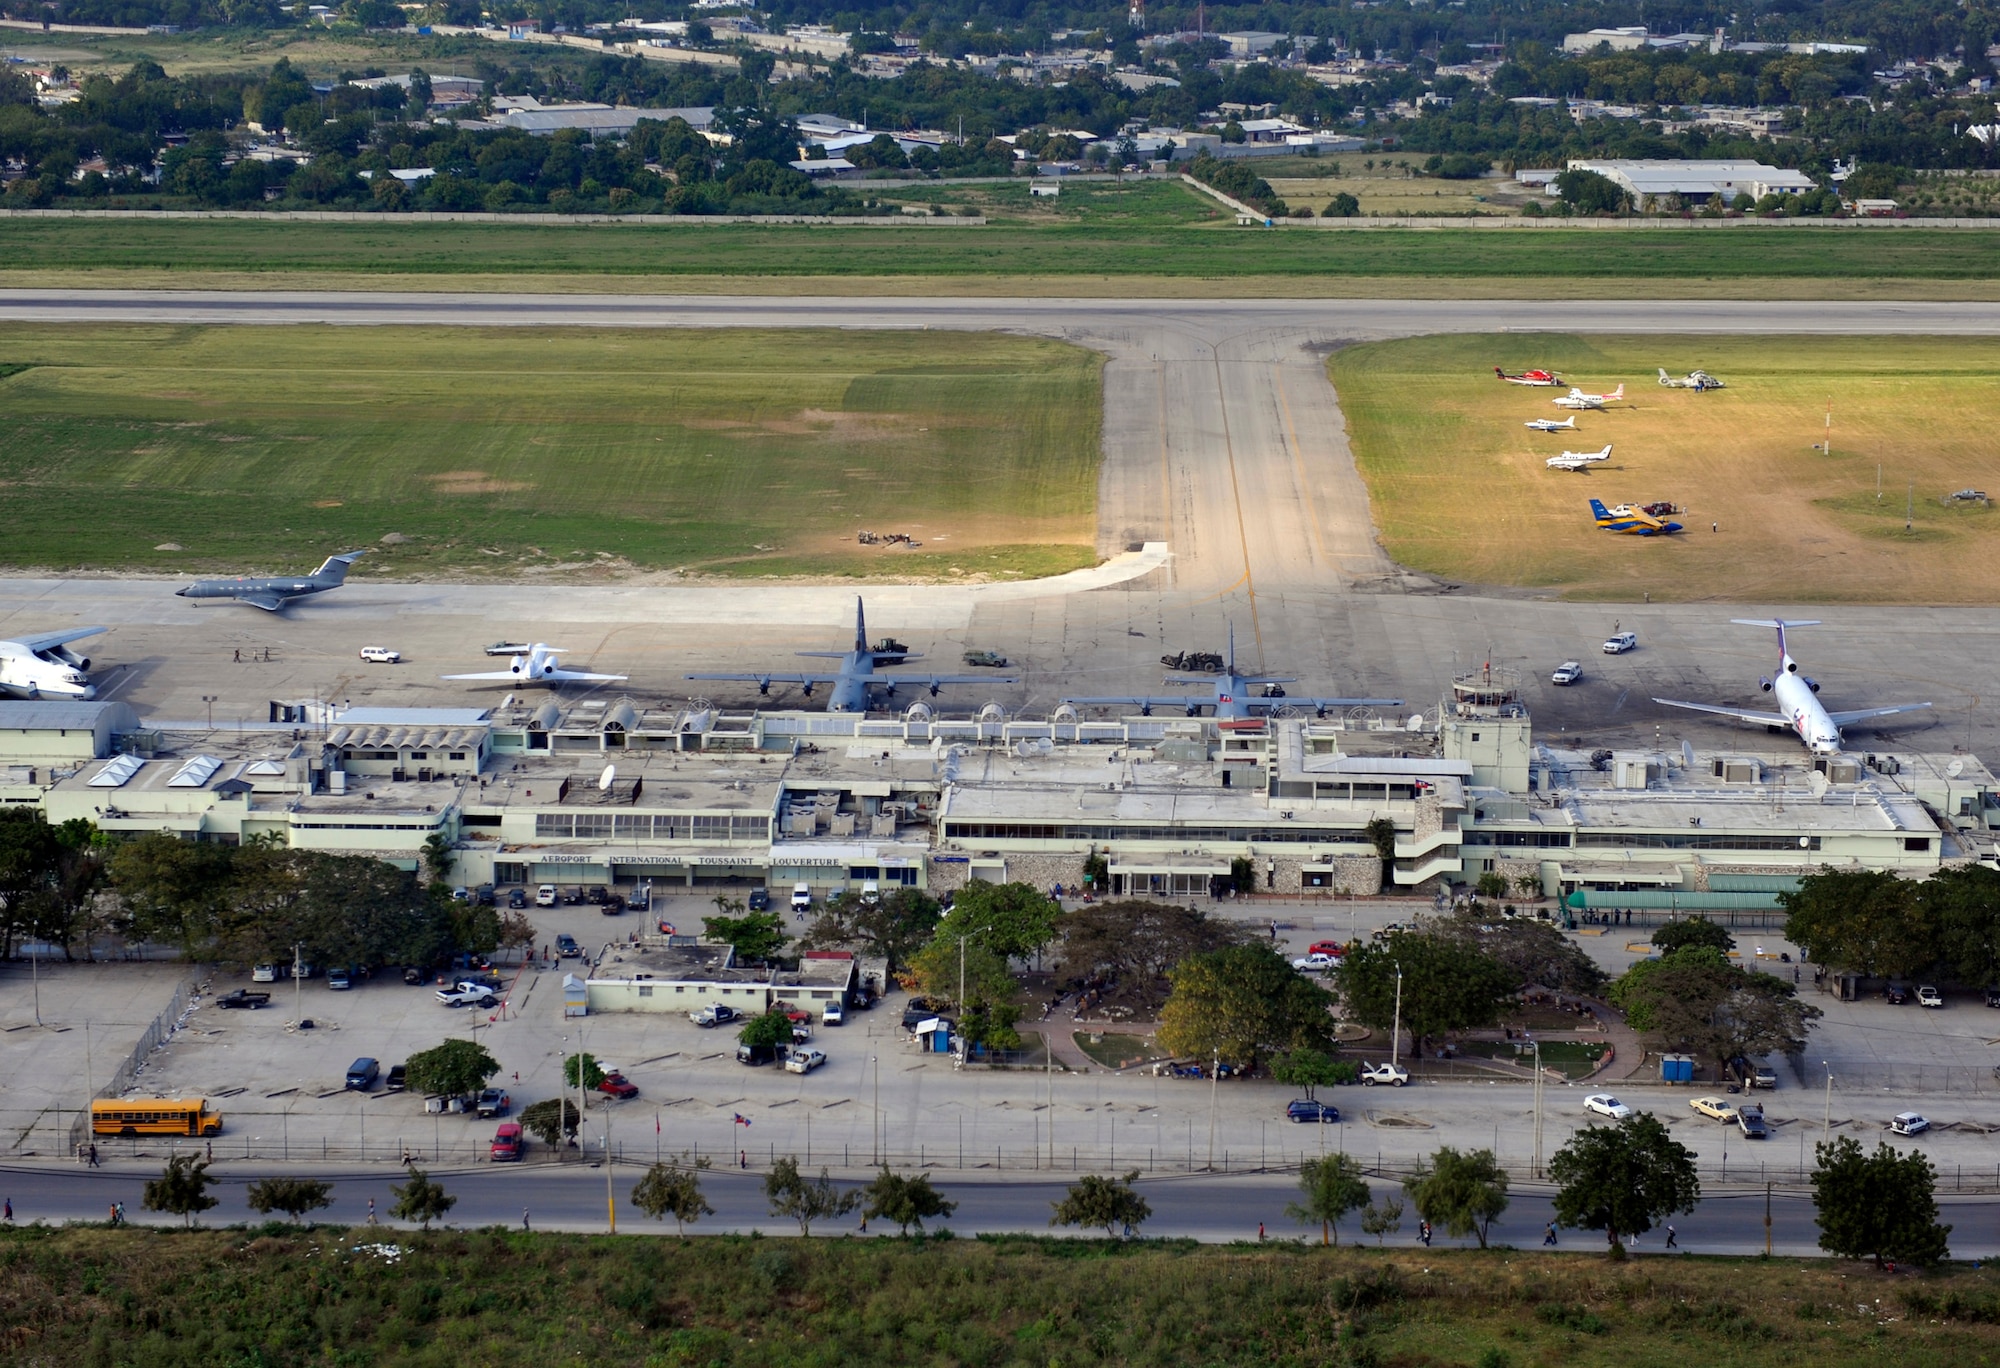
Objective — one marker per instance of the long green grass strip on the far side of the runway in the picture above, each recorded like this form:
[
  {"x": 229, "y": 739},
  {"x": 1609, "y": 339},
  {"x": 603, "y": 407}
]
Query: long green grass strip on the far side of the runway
[{"x": 1157, "y": 231}]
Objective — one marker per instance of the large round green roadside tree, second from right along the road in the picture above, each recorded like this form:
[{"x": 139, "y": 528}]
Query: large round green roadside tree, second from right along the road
[{"x": 1623, "y": 1179}]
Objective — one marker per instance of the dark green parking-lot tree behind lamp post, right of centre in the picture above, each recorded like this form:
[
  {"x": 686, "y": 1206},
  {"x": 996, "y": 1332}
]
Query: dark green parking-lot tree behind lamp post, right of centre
[{"x": 1447, "y": 985}]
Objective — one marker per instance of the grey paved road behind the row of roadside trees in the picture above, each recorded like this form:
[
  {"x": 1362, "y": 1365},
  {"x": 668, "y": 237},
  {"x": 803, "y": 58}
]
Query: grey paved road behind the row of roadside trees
[{"x": 1201, "y": 1207}]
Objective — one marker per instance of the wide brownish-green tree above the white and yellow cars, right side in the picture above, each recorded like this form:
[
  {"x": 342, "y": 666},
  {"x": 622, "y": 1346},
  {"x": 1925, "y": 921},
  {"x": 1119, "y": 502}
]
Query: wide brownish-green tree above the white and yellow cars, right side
[{"x": 1697, "y": 1003}]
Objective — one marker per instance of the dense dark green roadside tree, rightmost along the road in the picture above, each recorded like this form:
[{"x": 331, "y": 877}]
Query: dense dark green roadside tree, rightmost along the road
[{"x": 1877, "y": 1205}]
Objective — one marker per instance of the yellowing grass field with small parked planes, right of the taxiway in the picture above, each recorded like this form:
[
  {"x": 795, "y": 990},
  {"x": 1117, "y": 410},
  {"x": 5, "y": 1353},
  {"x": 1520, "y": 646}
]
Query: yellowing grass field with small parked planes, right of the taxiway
[{"x": 1461, "y": 487}]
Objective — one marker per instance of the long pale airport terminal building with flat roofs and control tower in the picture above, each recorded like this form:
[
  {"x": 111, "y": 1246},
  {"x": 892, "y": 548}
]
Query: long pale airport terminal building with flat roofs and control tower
[{"x": 707, "y": 801}]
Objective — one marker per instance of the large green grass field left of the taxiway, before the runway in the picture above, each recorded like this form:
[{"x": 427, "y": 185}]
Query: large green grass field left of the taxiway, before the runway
[{"x": 515, "y": 451}]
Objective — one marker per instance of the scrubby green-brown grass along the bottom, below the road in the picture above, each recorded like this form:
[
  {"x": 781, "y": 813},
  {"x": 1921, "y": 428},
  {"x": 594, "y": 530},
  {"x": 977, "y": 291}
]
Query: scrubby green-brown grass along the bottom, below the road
[{"x": 333, "y": 1297}]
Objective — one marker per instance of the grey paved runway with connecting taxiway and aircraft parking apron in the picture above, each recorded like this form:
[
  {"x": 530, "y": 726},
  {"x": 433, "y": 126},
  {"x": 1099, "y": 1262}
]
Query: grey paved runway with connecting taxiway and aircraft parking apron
[{"x": 1223, "y": 441}]
